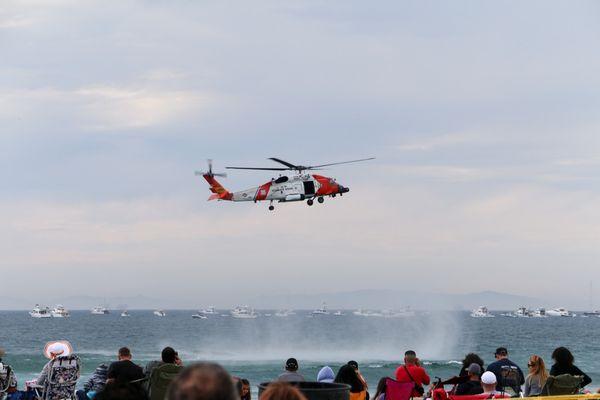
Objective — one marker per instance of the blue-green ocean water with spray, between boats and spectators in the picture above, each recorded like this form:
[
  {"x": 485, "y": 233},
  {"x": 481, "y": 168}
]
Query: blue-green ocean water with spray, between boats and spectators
[{"x": 256, "y": 349}]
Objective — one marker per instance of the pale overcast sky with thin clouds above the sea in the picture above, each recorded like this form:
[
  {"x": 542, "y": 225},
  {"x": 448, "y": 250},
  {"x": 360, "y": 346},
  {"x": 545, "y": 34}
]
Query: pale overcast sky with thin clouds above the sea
[{"x": 484, "y": 118}]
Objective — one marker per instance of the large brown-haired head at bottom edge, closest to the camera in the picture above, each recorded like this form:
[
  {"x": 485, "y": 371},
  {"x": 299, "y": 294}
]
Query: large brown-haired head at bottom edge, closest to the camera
[{"x": 203, "y": 381}]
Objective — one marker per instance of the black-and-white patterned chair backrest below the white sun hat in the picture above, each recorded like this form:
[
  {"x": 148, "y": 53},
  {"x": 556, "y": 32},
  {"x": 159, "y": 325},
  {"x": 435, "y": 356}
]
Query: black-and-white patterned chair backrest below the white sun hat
[{"x": 63, "y": 374}]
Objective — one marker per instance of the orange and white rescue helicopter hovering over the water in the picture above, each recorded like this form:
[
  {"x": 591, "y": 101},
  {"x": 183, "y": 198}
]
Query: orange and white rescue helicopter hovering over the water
[{"x": 283, "y": 189}]
